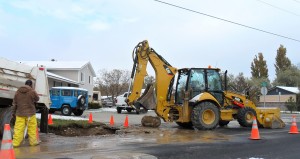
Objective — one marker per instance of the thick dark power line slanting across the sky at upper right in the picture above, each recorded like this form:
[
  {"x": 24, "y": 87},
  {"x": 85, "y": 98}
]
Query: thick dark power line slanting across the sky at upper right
[{"x": 232, "y": 22}]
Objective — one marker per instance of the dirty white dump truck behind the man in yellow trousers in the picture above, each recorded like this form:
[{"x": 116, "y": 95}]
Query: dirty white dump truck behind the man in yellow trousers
[{"x": 12, "y": 76}]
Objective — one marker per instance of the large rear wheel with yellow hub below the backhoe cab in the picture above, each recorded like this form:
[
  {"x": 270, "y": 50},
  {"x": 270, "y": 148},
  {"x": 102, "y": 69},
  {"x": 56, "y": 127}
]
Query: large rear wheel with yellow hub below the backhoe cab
[{"x": 205, "y": 116}]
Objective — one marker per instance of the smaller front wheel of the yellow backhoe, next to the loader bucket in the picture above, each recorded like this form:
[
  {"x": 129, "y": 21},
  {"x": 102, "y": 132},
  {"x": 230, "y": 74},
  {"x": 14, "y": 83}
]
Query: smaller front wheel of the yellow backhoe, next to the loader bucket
[{"x": 245, "y": 116}]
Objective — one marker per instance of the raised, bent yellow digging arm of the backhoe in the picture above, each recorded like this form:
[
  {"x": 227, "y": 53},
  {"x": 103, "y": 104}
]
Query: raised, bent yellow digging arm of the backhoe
[{"x": 164, "y": 74}]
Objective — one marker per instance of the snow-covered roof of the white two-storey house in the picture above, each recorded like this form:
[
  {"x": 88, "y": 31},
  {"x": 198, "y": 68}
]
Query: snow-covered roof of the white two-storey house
[{"x": 62, "y": 65}]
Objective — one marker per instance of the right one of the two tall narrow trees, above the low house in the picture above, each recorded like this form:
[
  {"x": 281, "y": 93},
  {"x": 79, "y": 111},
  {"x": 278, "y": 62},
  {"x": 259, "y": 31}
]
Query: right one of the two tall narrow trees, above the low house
[{"x": 282, "y": 62}]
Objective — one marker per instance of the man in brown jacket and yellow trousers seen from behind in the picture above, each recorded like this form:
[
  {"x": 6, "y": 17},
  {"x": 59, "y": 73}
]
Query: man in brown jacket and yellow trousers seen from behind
[{"x": 24, "y": 110}]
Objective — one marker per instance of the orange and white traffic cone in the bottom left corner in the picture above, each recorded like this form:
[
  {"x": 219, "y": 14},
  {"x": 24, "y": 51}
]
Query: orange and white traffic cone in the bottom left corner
[{"x": 7, "y": 151}]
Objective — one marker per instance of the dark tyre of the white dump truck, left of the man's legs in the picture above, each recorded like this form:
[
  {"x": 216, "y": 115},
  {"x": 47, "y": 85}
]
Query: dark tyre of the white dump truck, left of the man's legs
[{"x": 6, "y": 118}]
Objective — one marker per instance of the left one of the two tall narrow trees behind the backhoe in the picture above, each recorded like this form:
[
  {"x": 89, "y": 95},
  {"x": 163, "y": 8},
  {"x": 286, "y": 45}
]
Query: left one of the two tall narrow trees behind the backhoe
[{"x": 259, "y": 67}]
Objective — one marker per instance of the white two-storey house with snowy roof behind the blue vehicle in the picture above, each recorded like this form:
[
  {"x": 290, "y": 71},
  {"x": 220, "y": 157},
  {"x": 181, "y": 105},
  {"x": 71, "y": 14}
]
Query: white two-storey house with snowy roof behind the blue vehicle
[{"x": 68, "y": 73}]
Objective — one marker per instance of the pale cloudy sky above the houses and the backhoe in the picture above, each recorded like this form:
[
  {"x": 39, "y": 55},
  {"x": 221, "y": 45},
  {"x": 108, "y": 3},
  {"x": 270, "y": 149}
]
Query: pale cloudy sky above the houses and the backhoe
[{"x": 105, "y": 32}]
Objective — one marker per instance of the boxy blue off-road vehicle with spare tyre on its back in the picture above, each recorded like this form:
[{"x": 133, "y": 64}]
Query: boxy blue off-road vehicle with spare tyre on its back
[{"x": 68, "y": 100}]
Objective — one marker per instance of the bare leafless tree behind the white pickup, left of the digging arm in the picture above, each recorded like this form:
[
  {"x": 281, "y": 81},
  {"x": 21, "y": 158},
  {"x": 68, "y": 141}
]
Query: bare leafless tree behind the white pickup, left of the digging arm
[{"x": 113, "y": 83}]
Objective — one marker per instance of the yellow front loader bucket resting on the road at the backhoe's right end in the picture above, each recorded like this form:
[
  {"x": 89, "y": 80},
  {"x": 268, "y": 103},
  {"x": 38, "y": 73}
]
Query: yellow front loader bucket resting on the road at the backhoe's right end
[{"x": 270, "y": 118}]
